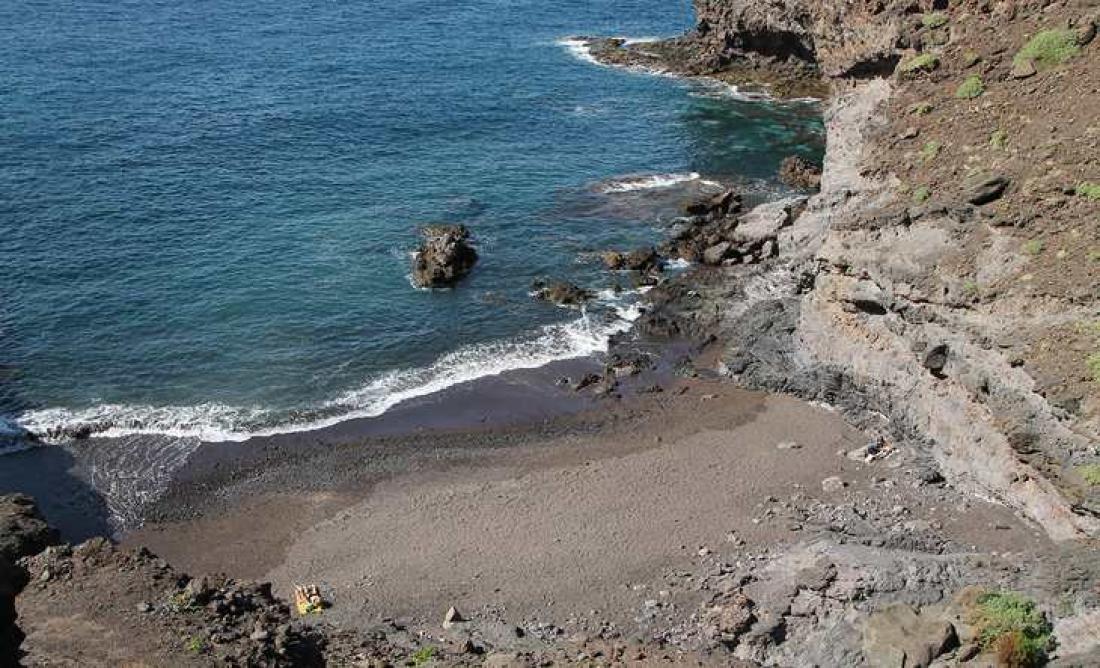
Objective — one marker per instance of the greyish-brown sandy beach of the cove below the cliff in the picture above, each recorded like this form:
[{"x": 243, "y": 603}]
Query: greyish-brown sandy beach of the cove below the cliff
[{"x": 545, "y": 521}]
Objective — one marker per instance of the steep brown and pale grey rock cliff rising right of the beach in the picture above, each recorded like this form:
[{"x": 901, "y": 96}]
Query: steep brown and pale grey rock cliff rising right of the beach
[{"x": 925, "y": 319}]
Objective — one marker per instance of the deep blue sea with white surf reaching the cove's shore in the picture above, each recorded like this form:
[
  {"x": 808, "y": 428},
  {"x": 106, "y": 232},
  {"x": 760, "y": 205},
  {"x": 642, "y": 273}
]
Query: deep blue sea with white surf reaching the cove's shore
[{"x": 207, "y": 207}]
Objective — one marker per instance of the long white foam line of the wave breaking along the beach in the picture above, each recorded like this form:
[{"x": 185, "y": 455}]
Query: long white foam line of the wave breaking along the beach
[{"x": 585, "y": 336}]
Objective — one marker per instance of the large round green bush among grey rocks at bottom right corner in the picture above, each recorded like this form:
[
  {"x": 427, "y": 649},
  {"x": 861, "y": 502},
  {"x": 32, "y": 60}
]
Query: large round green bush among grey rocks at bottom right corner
[{"x": 1014, "y": 627}]
